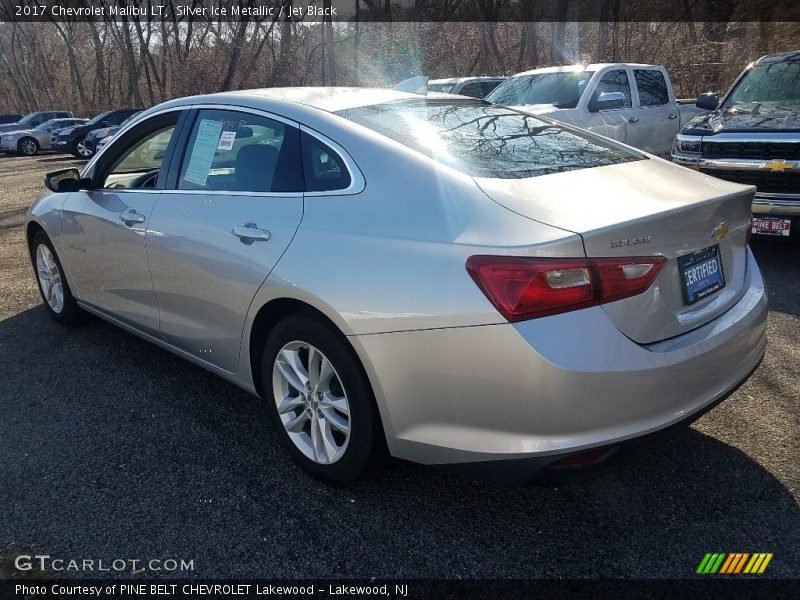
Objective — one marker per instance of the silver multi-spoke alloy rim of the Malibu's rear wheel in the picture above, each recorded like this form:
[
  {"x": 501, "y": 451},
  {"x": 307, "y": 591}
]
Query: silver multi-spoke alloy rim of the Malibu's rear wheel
[{"x": 311, "y": 402}]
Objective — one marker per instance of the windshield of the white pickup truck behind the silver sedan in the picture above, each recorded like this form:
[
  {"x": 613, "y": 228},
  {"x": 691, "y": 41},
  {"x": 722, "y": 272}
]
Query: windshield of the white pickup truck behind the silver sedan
[{"x": 559, "y": 89}]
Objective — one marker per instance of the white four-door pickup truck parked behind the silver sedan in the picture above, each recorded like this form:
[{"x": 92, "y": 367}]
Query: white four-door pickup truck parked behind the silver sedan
[{"x": 631, "y": 103}]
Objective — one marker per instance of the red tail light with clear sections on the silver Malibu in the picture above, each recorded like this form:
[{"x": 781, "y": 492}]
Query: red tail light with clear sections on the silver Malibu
[{"x": 524, "y": 288}]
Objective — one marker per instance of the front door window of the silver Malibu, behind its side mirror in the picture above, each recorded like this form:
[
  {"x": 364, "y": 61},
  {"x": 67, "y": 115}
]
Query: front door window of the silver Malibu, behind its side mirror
[{"x": 139, "y": 164}]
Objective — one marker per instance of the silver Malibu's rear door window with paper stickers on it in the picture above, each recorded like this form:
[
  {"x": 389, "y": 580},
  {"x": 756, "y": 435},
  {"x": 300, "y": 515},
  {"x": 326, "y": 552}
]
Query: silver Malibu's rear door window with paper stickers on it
[{"x": 241, "y": 152}]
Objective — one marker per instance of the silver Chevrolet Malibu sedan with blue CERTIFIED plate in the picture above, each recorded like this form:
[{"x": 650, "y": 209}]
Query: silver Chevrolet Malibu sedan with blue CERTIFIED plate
[{"x": 450, "y": 280}]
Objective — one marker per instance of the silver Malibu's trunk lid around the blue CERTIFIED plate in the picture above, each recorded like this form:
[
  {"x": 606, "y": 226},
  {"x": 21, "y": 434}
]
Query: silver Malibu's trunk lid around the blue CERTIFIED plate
[{"x": 645, "y": 208}]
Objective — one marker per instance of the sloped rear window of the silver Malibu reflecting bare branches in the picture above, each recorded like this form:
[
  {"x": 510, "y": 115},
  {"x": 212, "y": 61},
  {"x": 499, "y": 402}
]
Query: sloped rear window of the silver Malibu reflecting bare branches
[{"x": 484, "y": 140}]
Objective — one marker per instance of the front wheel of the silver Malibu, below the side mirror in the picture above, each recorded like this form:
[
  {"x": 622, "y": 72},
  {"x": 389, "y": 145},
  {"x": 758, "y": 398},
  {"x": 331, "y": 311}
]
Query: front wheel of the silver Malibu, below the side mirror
[{"x": 53, "y": 286}]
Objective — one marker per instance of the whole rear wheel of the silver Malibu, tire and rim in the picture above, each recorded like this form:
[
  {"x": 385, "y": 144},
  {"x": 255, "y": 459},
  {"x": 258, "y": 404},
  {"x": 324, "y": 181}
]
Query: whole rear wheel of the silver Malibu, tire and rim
[{"x": 320, "y": 401}]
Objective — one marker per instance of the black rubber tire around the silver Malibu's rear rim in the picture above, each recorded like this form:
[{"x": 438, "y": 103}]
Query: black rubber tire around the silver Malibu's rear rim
[{"x": 366, "y": 447}]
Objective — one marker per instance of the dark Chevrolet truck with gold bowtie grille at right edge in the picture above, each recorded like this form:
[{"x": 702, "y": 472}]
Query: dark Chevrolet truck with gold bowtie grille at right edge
[{"x": 753, "y": 137}]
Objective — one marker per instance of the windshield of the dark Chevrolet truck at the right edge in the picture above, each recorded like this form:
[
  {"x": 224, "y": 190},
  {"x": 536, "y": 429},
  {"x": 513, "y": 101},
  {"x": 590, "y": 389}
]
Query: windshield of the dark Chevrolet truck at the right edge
[{"x": 771, "y": 83}]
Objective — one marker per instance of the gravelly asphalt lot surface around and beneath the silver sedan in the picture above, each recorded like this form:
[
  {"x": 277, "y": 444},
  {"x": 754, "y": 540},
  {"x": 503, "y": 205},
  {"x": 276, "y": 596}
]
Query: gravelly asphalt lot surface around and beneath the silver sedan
[{"x": 112, "y": 448}]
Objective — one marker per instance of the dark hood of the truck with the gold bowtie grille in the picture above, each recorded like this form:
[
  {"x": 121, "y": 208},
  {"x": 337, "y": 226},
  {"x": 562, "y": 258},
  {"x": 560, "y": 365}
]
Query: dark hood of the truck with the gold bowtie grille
[{"x": 763, "y": 118}]
